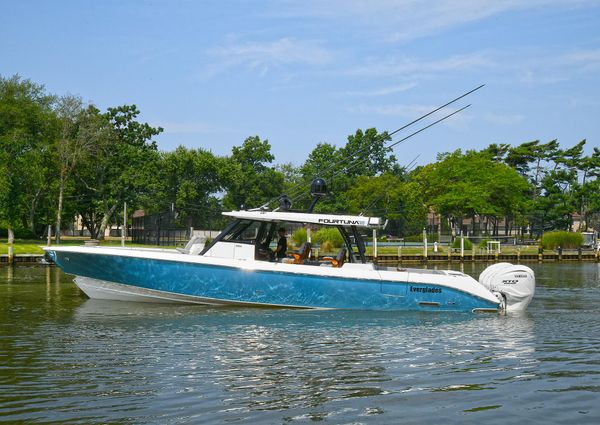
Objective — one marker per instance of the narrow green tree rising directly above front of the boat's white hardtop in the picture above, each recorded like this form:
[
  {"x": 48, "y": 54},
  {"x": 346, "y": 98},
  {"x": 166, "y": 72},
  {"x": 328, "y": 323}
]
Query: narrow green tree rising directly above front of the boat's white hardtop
[{"x": 251, "y": 182}]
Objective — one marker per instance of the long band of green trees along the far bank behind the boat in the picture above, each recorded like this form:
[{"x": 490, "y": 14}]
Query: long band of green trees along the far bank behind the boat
[{"x": 59, "y": 157}]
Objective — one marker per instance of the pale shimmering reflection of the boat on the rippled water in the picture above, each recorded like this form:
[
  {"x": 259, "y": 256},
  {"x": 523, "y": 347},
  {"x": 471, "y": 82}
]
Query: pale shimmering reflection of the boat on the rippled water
[{"x": 254, "y": 360}]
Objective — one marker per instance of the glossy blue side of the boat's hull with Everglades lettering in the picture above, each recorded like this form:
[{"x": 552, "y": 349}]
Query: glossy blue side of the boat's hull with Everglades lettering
[{"x": 231, "y": 285}]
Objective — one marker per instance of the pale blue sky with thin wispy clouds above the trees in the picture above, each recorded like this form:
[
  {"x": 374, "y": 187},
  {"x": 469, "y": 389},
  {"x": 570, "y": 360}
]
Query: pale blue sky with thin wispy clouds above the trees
[{"x": 298, "y": 73}]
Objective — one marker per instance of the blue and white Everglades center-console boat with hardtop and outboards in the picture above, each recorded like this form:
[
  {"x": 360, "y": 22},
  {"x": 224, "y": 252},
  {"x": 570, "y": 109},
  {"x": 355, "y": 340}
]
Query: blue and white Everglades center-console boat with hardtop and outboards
[{"x": 238, "y": 269}]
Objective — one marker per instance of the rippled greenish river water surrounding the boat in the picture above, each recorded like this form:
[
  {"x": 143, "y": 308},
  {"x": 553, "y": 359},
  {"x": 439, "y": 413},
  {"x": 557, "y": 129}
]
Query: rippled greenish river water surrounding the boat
[{"x": 66, "y": 359}]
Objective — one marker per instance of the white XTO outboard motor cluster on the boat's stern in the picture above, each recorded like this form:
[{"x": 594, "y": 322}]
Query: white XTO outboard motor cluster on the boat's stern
[{"x": 513, "y": 284}]
